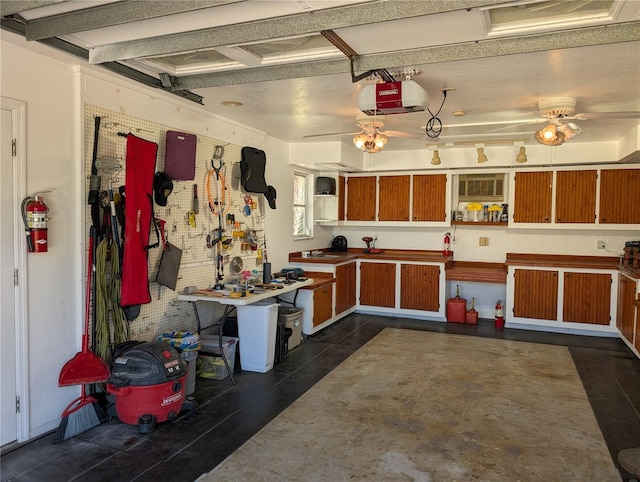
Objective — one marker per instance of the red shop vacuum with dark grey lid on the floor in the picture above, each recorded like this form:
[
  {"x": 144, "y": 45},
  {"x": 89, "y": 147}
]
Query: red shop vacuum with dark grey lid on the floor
[{"x": 148, "y": 383}]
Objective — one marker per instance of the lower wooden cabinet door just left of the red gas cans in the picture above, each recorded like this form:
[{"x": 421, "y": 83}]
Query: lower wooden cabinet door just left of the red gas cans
[{"x": 420, "y": 287}]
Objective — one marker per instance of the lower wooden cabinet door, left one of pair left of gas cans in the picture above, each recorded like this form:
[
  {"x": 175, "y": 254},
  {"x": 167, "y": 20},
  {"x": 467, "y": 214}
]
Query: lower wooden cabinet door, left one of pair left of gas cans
[{"x": 378, "y": 284}]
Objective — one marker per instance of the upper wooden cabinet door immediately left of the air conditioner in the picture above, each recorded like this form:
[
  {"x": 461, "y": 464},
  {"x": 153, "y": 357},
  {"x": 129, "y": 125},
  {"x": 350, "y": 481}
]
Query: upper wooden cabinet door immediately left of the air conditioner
[{"x": 430, "y": 197}]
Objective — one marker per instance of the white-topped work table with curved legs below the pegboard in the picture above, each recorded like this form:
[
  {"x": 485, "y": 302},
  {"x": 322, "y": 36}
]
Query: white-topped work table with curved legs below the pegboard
[{"x": 238, "y": 303}]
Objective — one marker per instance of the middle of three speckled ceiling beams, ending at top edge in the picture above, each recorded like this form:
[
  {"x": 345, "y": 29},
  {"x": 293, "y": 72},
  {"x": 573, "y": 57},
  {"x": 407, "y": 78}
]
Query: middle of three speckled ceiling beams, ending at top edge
[{"x": 290, "y": 25}]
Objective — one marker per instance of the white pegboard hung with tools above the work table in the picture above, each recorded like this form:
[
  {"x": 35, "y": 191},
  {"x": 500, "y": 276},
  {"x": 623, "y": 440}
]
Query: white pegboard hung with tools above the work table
[{"x": 198, "y": 265}]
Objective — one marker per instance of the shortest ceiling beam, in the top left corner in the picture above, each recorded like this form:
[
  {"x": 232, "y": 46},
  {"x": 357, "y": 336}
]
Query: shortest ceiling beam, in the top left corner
[{"x": 111, "y": 14}]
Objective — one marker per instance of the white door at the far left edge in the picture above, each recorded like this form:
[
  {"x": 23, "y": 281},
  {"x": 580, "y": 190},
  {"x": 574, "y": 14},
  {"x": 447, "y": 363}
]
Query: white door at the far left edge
[{"x": 12, "y": 262}]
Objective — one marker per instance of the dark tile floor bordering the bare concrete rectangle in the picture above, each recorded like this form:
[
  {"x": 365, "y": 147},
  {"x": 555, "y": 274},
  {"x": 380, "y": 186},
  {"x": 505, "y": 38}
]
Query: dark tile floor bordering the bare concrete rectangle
[{"x": 227, "y": 416}]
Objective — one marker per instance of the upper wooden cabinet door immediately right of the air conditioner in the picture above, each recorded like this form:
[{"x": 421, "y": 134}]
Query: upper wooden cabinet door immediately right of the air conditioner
[{"x": 532, "y": 203}]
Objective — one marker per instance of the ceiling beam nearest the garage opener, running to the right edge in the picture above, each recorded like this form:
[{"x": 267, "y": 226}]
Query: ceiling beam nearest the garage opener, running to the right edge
[{"x": 582, "y": 37}]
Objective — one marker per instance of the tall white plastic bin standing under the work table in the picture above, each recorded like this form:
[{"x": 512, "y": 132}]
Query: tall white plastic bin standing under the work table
[{"x": 257, "y": 326}]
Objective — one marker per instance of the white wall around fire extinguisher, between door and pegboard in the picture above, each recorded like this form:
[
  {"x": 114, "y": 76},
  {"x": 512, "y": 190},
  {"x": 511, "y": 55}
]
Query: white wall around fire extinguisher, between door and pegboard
[{"x": 54, "y": 284}]
